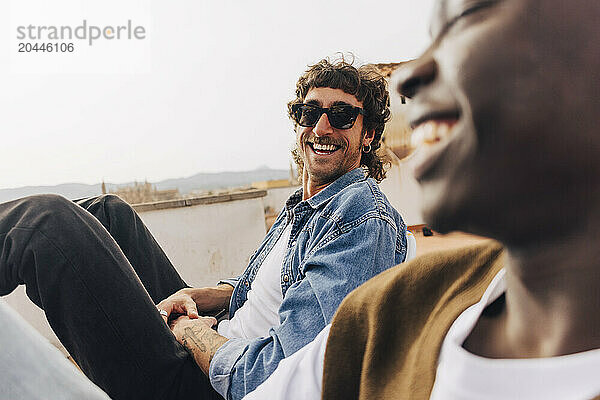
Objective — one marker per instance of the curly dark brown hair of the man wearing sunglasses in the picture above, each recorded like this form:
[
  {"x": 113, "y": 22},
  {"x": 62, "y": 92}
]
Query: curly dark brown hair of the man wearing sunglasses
[{"x": 368, "y": 86}]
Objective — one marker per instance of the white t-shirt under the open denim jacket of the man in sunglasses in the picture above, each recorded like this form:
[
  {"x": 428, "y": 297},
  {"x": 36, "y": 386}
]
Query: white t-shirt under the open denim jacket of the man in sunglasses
[{"x": 260, "y": 312}]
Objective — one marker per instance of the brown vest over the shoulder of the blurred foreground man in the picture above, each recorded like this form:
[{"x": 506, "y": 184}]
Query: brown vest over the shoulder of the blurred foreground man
[{"x": 397, "y": 320}]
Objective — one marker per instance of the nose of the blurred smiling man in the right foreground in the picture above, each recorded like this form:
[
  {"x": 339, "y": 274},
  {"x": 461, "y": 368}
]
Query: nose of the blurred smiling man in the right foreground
[{"x": 411, "y": 77}]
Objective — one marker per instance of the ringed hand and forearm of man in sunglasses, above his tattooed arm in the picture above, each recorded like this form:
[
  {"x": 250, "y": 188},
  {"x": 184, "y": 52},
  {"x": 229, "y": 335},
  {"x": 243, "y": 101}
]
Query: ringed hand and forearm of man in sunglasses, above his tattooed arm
[{"x": 189, "y": 301}]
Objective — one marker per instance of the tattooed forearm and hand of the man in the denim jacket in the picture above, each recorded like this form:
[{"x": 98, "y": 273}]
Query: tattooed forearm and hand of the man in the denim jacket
[{"x": 197, "y": 336}]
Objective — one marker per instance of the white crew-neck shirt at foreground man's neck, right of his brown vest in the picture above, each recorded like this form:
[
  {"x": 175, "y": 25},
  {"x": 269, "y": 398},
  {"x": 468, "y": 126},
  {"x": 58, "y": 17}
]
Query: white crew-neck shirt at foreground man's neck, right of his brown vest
[{"x": 462, "y": 375}]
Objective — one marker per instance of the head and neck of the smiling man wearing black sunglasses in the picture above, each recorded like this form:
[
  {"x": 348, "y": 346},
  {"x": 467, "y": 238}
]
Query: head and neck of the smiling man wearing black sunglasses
[{"x": 336, "y": 132}]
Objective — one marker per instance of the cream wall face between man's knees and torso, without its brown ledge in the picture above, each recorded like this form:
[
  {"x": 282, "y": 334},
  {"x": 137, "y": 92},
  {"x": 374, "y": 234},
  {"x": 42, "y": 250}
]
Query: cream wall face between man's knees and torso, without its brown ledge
[{"x": 209, "y": 242}]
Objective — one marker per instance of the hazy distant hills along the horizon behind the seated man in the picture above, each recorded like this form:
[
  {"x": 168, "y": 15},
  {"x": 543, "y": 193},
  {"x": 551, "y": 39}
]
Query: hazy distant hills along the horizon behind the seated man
[{"x": 201, "y": 181}]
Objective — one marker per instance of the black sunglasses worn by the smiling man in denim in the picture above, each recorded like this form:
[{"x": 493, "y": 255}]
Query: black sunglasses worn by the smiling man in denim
[{"x": 340, "y": 116}]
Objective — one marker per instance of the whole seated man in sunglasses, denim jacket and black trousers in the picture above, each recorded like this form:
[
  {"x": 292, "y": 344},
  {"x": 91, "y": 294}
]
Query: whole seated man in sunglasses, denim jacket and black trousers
[{"x": 97, "y": 271}]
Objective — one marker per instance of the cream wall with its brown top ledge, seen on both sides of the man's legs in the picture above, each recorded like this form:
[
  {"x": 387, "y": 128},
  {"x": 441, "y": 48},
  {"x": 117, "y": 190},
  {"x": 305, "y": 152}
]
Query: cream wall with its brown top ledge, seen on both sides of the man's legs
[{"x": 206, "y": 239}]
